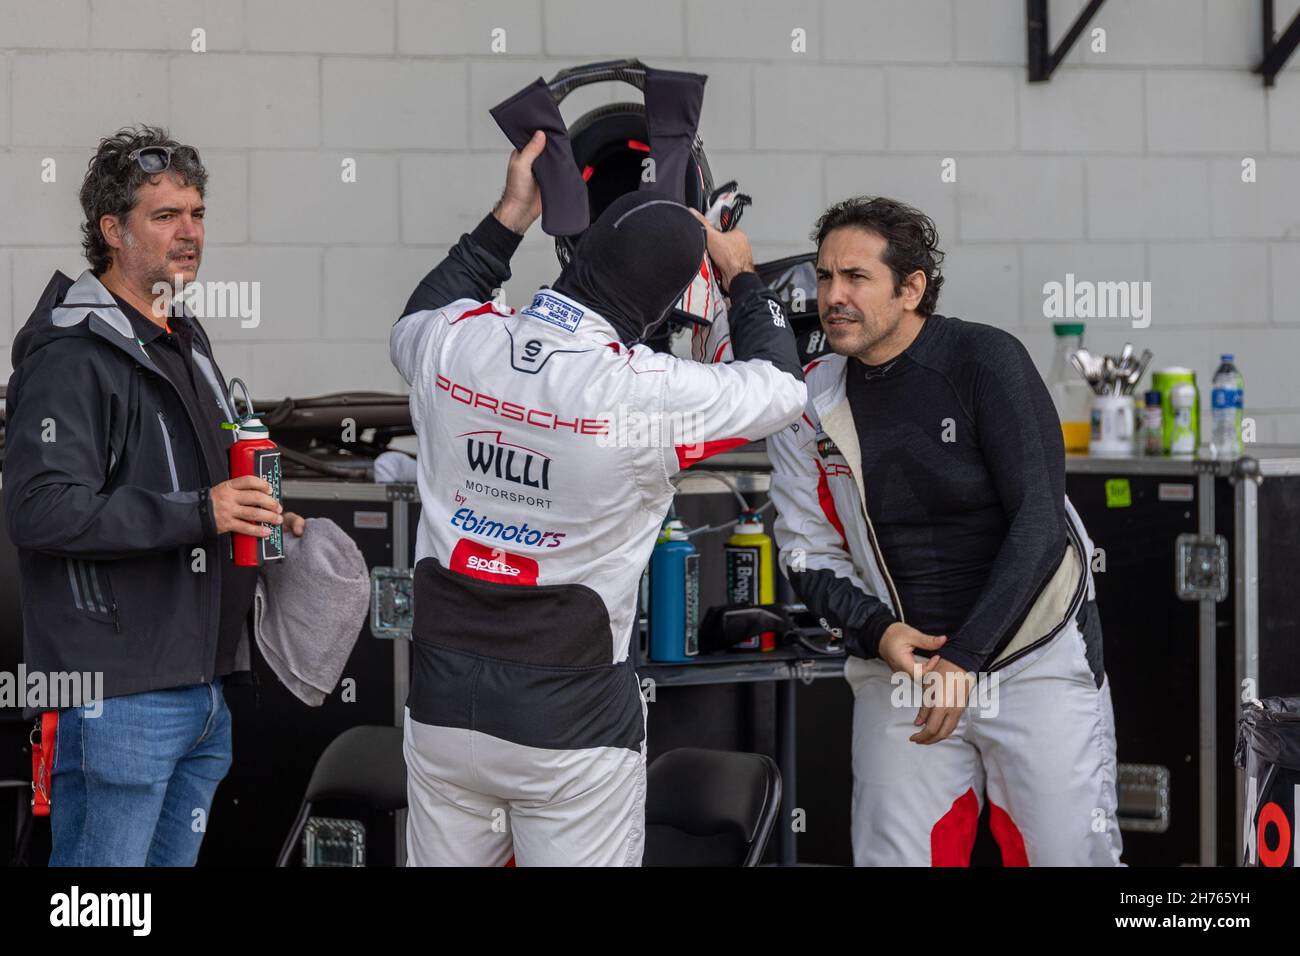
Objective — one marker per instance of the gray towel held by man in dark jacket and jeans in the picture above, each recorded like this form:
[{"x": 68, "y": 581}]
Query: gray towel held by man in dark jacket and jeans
[{"x": 309, "y": 609}]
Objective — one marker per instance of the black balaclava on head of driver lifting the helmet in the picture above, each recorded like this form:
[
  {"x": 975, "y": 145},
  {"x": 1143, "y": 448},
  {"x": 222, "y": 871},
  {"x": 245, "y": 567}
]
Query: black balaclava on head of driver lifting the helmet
[{"x": 635, "y": 262}]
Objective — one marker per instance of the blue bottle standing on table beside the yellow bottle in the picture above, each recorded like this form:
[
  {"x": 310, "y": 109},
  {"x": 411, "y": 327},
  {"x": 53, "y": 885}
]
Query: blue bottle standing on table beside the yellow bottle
[{"x": 674, "y": 596}]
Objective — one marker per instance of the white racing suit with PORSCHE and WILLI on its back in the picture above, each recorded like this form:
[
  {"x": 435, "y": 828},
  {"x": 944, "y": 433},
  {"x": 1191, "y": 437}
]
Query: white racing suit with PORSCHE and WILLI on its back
[{"x": 547, "y": 451}]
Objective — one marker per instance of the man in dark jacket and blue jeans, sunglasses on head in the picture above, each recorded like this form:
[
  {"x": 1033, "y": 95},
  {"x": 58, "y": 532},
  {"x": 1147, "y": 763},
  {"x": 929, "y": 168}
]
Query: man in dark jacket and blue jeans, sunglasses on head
[{"x": 120, "y": 501}]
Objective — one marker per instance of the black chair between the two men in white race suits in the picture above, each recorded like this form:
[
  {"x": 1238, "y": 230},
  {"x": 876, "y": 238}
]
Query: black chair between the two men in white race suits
[{"x": 710, "y": 808}]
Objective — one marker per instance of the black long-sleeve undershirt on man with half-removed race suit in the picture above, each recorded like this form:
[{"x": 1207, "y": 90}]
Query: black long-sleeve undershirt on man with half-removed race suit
[{"x": 964, "y": 460}]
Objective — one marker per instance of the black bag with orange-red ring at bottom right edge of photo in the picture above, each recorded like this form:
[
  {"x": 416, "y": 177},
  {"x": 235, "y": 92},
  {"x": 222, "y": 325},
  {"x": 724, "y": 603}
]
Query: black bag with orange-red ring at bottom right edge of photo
[{"x": 1268, "y": 749}]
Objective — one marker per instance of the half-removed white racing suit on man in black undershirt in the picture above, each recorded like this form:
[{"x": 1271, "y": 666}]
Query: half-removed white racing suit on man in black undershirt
[{"x": 1037, "y": 741}]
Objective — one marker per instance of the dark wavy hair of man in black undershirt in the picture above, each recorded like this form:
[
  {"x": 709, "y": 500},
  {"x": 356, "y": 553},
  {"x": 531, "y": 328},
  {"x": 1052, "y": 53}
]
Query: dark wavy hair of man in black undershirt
[{"x": 912, "y": 241}]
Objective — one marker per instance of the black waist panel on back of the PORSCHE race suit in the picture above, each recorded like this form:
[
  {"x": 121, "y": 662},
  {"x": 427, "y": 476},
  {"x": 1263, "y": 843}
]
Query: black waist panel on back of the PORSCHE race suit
[{"x": 525, "y": 664}]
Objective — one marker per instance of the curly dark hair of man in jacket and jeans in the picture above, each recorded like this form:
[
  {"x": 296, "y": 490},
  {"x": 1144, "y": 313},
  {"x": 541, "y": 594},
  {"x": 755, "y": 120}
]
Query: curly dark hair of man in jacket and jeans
[{"x": 112, "y": 181}]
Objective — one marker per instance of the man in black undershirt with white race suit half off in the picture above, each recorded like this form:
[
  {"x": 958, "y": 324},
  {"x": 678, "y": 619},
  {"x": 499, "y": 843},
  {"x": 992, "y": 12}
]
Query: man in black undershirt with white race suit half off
[{"x": 922, "y": 512}]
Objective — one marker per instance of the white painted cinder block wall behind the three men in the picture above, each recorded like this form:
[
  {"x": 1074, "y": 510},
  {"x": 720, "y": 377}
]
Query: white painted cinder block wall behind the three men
[{"x": 1125, "y": 167}]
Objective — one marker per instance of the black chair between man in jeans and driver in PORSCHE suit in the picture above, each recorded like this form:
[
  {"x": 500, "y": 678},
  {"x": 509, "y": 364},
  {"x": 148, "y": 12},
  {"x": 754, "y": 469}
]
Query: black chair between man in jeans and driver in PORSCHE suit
[{"x": 362, "y": 764}]
